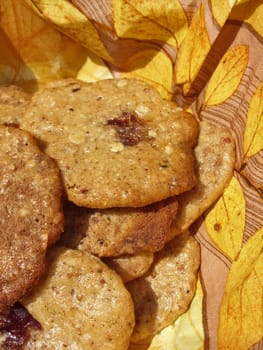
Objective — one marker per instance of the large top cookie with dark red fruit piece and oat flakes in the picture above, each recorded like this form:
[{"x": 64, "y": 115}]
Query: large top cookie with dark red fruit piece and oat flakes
[{"x": 116, "y": 142}]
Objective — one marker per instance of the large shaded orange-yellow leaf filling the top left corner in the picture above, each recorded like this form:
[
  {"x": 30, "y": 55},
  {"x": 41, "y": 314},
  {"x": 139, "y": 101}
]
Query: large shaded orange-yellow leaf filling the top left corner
[{"x": 44, "y": 53}]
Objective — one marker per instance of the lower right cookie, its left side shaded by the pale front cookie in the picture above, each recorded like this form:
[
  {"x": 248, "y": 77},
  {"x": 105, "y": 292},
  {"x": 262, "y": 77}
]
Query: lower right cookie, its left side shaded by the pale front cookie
[{"x": 167, "y": 289}]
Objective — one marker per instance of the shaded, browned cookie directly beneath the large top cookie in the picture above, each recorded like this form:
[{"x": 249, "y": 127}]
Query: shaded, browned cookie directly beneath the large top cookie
[{"x": 118, "y": 231}]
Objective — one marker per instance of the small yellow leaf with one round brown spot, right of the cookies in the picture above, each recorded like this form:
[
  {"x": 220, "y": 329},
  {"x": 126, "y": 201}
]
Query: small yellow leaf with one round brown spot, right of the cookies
[{"x": 226, "y": 220}]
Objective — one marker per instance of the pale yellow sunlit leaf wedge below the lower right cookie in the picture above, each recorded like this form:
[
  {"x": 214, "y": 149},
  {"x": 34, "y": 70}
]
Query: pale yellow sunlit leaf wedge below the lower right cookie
[{"x": 187, "y": 332}]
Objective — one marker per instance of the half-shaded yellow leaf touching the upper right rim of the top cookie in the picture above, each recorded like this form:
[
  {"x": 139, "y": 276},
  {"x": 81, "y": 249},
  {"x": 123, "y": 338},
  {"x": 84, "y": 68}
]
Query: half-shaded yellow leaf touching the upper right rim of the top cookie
[{"x": 147, "y": 65}]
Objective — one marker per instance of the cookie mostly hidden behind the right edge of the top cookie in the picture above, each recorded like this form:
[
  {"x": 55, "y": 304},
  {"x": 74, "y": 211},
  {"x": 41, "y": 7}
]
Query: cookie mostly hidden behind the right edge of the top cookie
[{"x": 215, "y": 158}]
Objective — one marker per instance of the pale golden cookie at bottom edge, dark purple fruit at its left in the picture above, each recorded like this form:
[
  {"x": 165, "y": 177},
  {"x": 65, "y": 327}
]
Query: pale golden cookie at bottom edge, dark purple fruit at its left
[{"x": 80, "y": 304}]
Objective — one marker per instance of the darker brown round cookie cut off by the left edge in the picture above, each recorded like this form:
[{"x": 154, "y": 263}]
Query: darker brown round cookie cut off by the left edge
[{"x": 30, "y": 212}]
